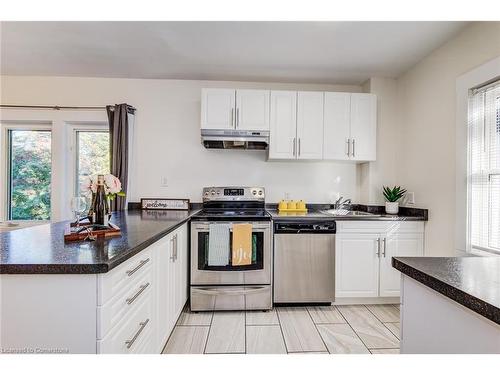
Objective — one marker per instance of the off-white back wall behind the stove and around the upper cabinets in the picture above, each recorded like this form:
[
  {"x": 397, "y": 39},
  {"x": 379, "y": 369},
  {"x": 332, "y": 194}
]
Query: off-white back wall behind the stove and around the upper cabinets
[{"x": 168, "y": 138}]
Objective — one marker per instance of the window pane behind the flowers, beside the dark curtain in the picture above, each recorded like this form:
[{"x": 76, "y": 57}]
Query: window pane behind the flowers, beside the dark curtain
[{"x": 92, "y": 154}]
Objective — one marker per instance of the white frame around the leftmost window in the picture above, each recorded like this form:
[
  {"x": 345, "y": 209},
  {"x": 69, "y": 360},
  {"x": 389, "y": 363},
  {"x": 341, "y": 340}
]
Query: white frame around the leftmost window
[{"x": 5, "y": 128}]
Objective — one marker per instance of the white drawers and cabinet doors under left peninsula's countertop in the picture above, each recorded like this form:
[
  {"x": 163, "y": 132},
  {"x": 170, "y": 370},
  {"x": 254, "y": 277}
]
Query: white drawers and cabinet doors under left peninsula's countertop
[{"x": 139, "y": 316}]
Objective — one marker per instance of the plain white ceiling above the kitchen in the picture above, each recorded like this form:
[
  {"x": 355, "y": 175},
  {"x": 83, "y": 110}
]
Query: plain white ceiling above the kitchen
[{"x": 315, "y": 52}]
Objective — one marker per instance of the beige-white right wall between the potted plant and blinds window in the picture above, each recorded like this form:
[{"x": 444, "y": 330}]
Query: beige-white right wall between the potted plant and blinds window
[{"x": 427, "y": 134}]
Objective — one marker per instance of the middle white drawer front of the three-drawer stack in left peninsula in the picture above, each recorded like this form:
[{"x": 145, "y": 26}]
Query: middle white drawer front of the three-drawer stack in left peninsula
[{"x": 124, "y": 303}]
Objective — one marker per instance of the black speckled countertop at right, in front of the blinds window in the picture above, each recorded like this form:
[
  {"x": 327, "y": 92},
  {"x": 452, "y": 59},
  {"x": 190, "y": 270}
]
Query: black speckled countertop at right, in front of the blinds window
[{"x": 474, "y": 282}]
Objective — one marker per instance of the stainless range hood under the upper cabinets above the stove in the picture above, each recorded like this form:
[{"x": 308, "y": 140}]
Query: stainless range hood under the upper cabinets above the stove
[{"x": 235, "y": 139}]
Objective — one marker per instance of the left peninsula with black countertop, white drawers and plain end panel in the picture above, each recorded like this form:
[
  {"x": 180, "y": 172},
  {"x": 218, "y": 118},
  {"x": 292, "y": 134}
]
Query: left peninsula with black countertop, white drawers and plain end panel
[{"x": 115, "y": 295}]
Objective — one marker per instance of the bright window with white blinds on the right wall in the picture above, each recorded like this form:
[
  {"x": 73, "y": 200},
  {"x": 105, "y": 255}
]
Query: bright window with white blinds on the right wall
[{"x": 484, "y": 167}]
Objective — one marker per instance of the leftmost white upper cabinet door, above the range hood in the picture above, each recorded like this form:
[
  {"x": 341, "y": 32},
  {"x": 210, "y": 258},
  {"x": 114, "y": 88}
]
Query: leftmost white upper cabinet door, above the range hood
[{"x": 217, "y": 108}]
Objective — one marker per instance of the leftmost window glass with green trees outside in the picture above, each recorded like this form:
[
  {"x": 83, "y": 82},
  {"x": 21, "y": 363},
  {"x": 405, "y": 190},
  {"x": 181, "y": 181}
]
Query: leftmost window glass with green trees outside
[{"x": 29, "y": 174}]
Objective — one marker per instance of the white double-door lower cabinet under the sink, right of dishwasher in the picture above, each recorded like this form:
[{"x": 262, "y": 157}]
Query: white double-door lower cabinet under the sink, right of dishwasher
[{"x": 364, "y": 252}]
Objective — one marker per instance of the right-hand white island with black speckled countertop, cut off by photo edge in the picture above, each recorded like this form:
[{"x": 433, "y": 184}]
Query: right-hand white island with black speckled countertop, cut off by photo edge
[{"x": 449, "y": 305}]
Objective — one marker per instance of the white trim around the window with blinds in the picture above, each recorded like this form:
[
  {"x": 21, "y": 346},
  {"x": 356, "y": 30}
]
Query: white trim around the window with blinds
[{"x": 475, "y": 78}]
